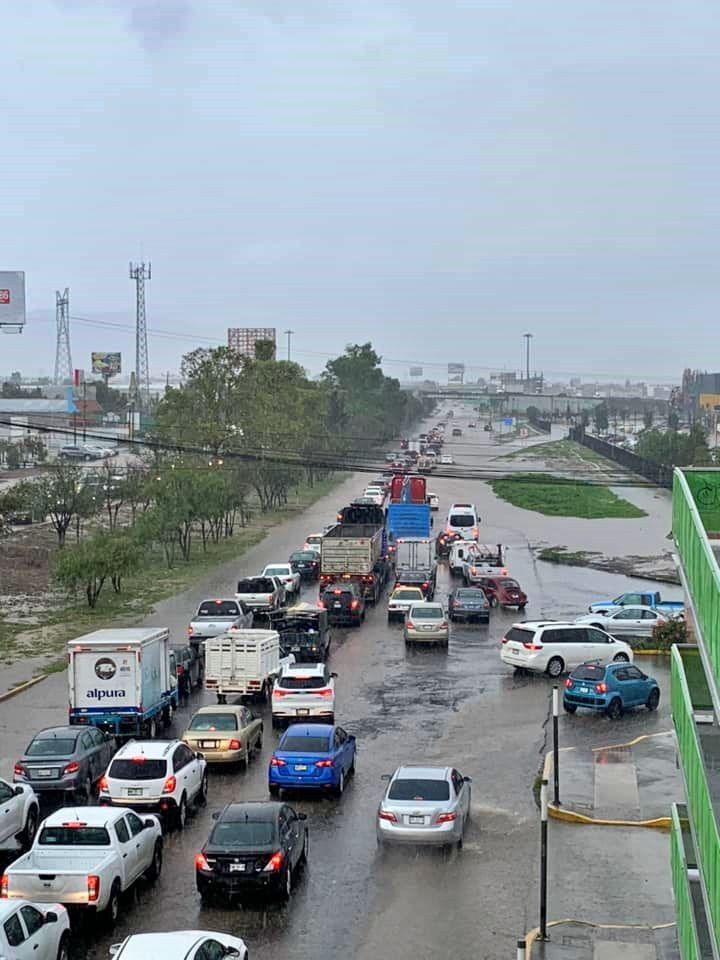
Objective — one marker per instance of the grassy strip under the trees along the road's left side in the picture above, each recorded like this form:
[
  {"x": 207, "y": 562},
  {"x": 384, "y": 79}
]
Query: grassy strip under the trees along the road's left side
[{"x": 152, "y": 583}]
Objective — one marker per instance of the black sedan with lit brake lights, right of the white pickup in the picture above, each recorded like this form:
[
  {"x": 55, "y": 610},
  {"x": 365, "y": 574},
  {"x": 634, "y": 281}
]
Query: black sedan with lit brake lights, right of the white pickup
[{"x": 255, "y": 847}]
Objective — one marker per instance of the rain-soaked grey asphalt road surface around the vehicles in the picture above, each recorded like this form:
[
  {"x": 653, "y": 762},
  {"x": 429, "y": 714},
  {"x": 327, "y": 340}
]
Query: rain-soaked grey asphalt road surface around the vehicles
[{"x": 461, "y": 707}]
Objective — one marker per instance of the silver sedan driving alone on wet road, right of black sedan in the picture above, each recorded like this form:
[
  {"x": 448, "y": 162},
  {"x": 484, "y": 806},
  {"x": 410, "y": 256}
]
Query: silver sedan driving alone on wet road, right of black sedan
[{"x": 424, "y": 806}]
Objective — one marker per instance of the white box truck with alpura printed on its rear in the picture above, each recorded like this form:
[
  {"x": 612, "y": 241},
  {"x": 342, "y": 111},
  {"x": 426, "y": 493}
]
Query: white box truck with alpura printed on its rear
[{"x": 122, "y": 680}]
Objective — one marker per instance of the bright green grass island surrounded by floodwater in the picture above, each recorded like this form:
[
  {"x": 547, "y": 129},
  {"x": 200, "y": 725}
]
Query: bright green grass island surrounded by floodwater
[{"x": 556, "y": 498}]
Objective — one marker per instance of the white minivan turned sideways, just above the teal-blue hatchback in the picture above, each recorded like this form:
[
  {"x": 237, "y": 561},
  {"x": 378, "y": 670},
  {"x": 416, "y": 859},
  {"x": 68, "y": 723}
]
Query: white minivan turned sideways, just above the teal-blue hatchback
[{"x": 554, "y": 647}]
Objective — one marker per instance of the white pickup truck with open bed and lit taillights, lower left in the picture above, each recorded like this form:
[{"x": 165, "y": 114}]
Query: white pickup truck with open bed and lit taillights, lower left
[{"x": 86, "y": 857}]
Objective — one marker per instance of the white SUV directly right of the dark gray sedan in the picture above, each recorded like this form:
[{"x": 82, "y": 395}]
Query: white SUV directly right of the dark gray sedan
[{"x": 162, "y": 776}]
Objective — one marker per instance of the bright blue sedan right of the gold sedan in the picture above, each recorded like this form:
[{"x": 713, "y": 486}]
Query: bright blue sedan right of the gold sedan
[{"x": 312, "y": 756}]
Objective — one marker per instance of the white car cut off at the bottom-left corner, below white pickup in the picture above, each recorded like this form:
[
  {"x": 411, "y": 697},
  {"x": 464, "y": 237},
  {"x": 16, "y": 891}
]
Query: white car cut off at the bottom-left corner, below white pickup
[{"x": 40, "y": 931}]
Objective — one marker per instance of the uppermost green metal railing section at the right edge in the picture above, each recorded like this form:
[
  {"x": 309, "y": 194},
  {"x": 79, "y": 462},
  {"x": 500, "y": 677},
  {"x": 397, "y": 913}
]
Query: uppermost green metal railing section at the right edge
[{"x": 701, "y": 570}]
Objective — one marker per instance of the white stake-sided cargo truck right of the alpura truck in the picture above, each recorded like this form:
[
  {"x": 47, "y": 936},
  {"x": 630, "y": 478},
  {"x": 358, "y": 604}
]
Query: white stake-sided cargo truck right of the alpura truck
[{"x": 244, "y": 663}]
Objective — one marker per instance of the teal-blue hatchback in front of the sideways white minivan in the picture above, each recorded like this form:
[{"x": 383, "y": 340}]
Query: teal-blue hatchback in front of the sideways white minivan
[{"x": 611, "y": 687}]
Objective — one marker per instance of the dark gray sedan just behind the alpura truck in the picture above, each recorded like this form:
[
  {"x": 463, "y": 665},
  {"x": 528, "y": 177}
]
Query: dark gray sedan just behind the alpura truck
[{"x": 66, "y": 761}]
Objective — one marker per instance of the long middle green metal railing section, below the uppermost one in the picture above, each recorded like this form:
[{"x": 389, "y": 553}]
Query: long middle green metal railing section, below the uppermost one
[{"x": 702, "y": 815}]
